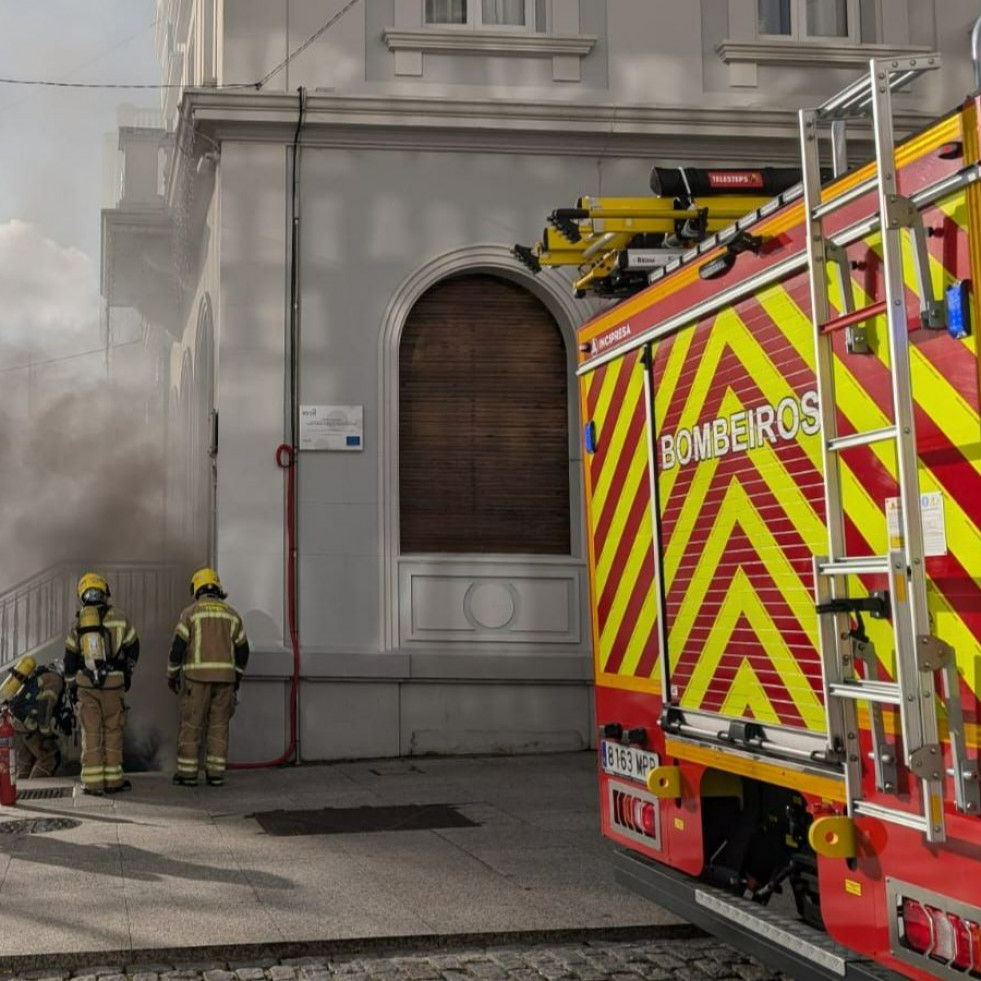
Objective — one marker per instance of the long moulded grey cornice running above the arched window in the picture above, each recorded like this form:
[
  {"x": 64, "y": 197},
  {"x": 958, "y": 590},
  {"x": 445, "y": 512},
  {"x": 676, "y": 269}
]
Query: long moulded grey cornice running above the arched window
[{"x": 734, "y": 135}]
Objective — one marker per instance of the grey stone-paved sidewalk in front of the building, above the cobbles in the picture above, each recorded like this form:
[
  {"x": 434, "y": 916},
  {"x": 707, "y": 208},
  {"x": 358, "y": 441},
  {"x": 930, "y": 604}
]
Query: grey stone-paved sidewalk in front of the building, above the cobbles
[{"x": 166, "y": 867}]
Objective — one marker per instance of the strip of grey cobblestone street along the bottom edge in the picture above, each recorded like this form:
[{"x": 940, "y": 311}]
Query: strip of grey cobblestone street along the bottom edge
[{"x": 674, "y": 960}]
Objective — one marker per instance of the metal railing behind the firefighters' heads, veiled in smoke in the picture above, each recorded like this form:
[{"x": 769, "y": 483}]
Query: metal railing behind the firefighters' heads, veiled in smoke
[{"x": 38, "y": 612}]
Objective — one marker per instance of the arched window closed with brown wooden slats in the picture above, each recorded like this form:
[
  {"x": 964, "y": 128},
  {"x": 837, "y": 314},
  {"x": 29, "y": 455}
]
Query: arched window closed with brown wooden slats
[{"x": 483, "y": 423}]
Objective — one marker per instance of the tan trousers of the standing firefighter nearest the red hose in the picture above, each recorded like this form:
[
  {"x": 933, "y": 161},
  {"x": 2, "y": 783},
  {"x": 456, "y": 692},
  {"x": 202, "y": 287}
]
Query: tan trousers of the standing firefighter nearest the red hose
[{"x": 206, "y": 710}]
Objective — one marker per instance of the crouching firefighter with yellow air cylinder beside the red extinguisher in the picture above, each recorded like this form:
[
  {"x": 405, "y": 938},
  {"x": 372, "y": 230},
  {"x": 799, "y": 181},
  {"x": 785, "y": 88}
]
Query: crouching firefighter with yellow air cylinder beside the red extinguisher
[{"x": 36, "y": 697}]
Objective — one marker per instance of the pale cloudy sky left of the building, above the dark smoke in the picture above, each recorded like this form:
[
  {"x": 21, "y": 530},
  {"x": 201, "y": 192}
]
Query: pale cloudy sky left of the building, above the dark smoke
[{"x": 52, "y": 160}]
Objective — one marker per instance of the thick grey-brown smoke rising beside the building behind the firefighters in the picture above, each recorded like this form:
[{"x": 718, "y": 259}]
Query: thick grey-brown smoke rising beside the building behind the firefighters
[{"x": 84, "y": 440}]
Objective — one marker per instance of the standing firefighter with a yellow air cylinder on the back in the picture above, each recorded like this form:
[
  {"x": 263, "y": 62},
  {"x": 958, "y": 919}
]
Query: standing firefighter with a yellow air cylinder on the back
[{"x": 101, "y": 652}]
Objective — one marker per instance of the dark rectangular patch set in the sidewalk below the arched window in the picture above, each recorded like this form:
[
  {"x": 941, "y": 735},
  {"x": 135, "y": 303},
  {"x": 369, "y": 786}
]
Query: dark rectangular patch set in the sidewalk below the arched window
[{"x": 362, "y": 820}]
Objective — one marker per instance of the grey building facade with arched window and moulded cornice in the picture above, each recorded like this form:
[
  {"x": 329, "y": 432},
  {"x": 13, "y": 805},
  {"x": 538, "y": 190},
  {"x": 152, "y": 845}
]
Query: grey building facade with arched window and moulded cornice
[{"x": 326, "y": 250}]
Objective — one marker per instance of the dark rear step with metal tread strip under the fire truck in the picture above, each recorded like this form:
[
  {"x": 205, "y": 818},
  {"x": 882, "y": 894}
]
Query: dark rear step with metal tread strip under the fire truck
[{"x": 787, "y": 945}]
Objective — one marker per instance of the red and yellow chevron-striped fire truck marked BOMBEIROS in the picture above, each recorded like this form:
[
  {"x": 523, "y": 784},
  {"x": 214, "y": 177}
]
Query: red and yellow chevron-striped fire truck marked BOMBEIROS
[{"x": 783, "y": 484}]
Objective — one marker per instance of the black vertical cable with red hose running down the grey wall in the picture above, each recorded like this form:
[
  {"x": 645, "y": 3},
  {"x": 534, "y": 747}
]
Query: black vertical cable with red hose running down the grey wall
[{"x": 286, "y": 457}]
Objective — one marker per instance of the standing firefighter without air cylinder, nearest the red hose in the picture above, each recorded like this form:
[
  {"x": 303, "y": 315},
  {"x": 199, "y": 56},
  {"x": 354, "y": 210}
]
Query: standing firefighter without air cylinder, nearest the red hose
[{"x": 207, "y": 660}]
